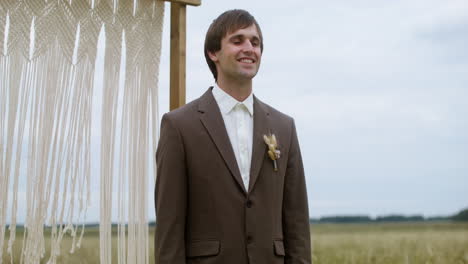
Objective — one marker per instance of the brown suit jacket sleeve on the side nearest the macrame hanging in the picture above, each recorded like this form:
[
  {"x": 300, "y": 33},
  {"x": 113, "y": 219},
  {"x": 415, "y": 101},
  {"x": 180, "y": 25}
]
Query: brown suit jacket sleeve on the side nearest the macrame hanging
[{"x": 170, "y": 195}]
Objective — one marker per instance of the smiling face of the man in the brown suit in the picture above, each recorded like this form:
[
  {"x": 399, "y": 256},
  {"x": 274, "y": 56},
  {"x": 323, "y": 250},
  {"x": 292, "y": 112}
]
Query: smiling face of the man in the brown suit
[{"x": 240, "y": 55}]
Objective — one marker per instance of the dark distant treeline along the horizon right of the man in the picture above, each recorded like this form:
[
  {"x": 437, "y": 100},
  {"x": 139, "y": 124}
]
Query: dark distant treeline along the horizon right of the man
[{"x": 461, "y": 216}]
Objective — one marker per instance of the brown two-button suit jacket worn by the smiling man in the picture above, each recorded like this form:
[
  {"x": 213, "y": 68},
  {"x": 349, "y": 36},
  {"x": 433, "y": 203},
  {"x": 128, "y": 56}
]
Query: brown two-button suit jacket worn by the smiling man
[{"x": 205, "y": 214}]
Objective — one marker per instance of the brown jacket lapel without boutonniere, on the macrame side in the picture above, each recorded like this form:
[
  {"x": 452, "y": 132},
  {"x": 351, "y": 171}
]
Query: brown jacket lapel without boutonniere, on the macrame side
[{"x": 212, "y": 120}]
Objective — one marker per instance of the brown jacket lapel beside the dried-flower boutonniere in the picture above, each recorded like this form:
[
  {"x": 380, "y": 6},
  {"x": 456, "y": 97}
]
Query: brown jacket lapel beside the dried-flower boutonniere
[{"x": 259, "y": 148}]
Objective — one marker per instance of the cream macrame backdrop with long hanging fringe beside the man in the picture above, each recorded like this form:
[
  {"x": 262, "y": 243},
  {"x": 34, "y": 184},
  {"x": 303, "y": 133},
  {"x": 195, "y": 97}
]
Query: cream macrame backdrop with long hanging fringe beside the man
[{"x": 47, "y": 66}]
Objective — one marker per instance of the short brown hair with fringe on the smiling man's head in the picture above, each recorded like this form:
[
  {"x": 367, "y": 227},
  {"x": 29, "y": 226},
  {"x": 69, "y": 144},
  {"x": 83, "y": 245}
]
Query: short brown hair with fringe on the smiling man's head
[{"x": 227, "y": 22}]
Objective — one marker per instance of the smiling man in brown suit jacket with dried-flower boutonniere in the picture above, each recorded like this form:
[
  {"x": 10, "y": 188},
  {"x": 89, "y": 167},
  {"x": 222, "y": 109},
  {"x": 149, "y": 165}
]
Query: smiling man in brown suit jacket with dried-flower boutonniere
[{"x": 230, "y": 187}]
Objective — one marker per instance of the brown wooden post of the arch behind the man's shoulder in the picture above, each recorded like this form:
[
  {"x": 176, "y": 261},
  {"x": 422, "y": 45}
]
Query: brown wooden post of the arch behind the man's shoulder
[{"x": 178, "y": 51}]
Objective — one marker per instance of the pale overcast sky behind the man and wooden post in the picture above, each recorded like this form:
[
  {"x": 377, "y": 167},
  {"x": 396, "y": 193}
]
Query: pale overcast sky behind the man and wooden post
[{"x": 378, "y": 90}]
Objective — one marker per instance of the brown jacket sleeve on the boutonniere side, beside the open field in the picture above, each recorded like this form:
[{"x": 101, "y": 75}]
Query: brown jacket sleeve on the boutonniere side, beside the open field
[{"x": 295, "y": 209}]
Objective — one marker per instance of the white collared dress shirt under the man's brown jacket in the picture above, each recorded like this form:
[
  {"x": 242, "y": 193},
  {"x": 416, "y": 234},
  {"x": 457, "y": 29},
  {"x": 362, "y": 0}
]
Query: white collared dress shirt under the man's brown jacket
[{"x": 238, "y": 119}]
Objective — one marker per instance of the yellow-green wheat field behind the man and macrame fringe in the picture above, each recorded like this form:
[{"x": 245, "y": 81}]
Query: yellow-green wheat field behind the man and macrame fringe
[{"x": 383, "y": 243}]
